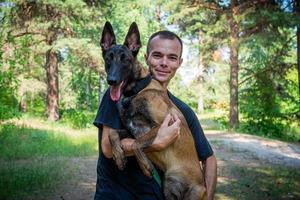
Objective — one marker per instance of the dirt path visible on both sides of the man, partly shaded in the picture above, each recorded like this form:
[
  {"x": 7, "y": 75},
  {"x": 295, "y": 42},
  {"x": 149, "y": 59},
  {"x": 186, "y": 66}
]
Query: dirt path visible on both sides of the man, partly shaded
[{"x": 242, "y": 160}]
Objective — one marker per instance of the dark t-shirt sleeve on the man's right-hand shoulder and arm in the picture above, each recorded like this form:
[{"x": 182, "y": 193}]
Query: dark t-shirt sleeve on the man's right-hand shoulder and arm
[{"x": 203, "y": 147}]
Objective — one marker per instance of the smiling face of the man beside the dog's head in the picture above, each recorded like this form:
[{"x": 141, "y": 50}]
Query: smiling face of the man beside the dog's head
[{"x": 164, "y": 58}]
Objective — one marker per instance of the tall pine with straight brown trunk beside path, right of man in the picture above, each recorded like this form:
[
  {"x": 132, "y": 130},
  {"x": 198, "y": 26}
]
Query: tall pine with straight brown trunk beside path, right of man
[{"x": 227, "y": 23}]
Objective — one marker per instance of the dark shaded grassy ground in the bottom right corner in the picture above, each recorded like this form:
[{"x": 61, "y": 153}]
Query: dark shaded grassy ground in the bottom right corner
[{"x": 259, "y": 183}]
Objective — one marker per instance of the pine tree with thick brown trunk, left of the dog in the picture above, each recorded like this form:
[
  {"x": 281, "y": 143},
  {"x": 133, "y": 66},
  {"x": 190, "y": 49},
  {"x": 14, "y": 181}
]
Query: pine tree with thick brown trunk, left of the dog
[{"x": 50, "y": 25}]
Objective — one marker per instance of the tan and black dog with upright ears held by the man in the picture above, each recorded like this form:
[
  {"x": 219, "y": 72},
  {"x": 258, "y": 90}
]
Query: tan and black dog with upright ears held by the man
[{"x": 143, "y": 104}]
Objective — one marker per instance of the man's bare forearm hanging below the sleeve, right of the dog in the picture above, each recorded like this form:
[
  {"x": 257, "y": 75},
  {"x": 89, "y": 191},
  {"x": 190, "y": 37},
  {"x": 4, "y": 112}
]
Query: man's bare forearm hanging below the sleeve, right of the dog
[{"x": 210, "y": 173}]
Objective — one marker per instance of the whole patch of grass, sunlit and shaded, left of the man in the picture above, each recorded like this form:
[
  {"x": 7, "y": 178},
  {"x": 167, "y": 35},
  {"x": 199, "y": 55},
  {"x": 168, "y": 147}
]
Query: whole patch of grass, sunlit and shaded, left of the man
[{"x": 34, "y": 156}]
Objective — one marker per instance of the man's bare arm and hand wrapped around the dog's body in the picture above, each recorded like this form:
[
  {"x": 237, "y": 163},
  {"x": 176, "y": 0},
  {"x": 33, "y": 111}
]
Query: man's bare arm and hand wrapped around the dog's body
[{"x": 168, "y": 132}]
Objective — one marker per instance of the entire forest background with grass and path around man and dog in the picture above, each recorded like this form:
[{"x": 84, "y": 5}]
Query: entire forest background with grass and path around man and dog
[{"x": 240, "y": 74}]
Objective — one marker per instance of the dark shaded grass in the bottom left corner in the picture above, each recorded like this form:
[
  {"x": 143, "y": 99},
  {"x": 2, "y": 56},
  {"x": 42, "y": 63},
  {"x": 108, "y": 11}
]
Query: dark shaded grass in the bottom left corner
[{"x": 27, "y": 177}]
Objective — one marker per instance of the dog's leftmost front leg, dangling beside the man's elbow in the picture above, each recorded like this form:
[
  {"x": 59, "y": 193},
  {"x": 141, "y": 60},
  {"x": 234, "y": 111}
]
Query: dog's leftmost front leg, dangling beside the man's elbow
[{"x": 117, "y": 151}]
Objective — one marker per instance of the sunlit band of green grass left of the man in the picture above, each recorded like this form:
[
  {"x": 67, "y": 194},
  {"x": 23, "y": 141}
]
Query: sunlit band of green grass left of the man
[{"x": 28, "y": 143}]
